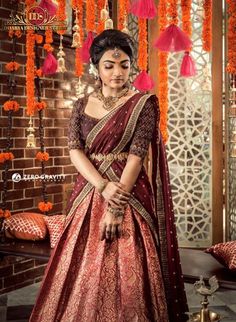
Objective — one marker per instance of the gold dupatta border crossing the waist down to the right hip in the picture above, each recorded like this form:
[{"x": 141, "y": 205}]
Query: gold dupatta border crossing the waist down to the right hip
[{"x": 136, "y": 204}]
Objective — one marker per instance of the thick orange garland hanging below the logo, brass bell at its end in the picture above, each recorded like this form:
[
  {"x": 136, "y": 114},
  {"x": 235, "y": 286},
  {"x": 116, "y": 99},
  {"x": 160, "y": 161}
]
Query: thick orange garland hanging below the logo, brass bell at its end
[{"x": 30, "y": 40}]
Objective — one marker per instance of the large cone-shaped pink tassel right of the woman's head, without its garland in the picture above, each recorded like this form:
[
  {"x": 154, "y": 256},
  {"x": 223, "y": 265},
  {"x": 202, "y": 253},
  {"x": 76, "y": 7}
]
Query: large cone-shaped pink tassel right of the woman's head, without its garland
[{"x": 173, "y": 39}]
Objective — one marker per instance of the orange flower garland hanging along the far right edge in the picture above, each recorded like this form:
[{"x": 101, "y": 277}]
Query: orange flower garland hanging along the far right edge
[{"x": 231, "y": 66}]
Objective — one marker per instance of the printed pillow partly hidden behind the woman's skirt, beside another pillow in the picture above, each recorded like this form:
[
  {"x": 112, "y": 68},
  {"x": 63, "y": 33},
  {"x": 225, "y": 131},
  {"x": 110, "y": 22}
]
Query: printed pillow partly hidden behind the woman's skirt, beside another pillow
[{"x": 55, "y": 225}]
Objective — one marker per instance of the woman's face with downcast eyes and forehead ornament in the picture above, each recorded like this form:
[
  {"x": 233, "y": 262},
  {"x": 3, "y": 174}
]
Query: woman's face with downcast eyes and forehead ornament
[{"x": 114, "y": 68}]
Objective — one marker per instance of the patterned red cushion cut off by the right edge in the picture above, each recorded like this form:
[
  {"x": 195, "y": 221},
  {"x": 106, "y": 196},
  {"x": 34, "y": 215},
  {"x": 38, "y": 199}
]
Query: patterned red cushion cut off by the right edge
[{"x": 225, "y": 253}]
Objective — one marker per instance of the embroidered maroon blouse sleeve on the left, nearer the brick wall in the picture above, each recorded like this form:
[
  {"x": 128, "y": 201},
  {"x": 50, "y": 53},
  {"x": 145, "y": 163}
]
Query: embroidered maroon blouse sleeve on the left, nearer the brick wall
[{"x": 74, "y": 130}]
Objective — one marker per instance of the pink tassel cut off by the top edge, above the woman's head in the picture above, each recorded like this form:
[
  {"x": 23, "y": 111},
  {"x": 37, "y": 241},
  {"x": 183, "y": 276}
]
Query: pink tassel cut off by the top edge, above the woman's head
[{"x": 143, "y": 8}]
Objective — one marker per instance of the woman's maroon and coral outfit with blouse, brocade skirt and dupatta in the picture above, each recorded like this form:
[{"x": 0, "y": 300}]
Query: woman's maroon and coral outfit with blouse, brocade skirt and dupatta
[{"x": 138, "y": 276}]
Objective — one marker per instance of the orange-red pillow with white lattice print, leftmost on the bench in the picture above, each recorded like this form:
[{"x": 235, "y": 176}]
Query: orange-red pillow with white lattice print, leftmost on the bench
[{"x": 26, "y": 225}]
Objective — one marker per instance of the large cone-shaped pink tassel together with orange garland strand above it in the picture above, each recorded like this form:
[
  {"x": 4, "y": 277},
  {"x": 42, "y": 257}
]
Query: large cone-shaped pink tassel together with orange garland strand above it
[{"x": 172, "y": 38}]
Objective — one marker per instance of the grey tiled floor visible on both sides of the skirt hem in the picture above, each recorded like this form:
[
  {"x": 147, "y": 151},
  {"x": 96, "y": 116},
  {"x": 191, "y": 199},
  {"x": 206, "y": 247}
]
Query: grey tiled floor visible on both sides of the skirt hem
[{"x": 16, "y": 306}]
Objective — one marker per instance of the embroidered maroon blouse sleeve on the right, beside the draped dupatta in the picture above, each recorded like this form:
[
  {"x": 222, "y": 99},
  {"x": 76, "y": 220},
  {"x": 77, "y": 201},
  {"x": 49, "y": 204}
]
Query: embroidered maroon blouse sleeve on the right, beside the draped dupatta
[{"x": 145, "y": 128}]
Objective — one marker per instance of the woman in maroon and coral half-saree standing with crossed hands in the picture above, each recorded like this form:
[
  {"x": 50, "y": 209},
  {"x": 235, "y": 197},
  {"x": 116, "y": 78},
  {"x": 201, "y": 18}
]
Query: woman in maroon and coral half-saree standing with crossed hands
[{"x": 117, "y": 258}]
